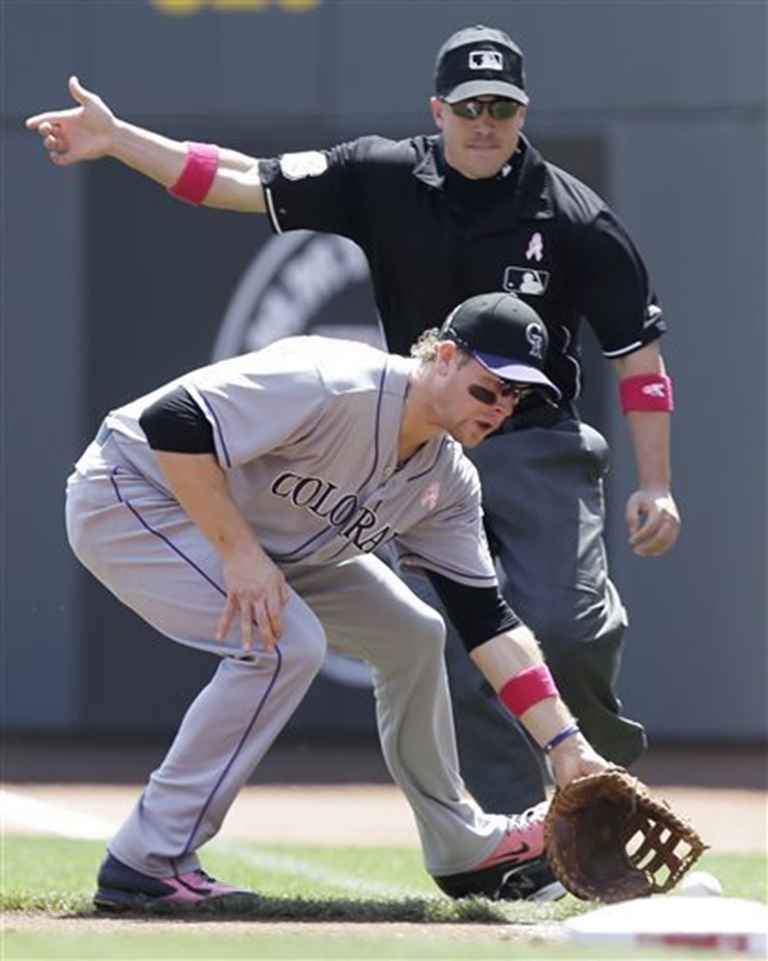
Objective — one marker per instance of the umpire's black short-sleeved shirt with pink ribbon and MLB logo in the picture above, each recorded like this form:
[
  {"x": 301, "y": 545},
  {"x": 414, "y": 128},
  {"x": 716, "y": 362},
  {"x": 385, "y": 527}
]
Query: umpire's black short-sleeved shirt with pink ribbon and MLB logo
[{"x": 434, "y": 238}]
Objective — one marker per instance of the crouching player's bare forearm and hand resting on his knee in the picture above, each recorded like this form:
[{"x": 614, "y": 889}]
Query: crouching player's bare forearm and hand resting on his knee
[{"x": 256, "y": 588}]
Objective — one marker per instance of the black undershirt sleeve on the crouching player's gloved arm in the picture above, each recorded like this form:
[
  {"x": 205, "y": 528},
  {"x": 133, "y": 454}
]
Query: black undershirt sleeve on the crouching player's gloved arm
[{"x": 477, "y": 613}]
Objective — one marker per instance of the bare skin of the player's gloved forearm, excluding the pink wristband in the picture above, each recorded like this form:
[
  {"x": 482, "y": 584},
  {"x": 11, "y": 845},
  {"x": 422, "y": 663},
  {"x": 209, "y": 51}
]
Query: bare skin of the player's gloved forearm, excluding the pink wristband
[{"x": 504, "y": 657}]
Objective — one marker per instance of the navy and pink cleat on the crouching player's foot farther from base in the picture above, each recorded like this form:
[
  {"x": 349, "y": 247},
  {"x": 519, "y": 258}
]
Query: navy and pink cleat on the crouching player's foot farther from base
[{"x": 121, "y": 889}]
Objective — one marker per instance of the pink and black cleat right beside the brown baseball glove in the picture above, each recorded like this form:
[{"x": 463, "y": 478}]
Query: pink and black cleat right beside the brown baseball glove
[{"x": 516, "y": 870}]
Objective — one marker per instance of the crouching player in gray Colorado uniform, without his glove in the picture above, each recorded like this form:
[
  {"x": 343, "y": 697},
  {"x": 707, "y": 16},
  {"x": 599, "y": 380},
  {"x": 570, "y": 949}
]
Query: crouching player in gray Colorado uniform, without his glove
[{"x": 238, "y": 510}]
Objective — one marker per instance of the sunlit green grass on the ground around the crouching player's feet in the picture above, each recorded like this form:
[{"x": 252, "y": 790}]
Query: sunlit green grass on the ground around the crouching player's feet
[{"x": 54, "y": 878}]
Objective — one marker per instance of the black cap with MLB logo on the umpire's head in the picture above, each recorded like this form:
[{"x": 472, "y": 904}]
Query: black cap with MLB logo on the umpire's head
[{"x": 480, "y": 61}]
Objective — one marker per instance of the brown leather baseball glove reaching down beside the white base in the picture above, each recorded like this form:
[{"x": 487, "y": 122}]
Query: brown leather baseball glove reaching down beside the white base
[{"x": 607, "y": 839}]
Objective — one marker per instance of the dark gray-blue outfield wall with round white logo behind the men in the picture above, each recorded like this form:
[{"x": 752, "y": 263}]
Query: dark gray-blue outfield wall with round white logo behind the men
[{"x": 109, "y": 287}]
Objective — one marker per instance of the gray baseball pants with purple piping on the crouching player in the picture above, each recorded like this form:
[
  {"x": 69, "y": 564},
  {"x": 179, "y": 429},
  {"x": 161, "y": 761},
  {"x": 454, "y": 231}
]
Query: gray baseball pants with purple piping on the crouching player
[{"x": 140, "y": 544}]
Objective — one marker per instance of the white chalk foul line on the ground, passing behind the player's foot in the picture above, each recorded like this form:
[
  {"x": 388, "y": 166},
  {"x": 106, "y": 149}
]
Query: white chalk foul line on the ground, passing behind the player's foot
[{"x": 64, "y": 822}]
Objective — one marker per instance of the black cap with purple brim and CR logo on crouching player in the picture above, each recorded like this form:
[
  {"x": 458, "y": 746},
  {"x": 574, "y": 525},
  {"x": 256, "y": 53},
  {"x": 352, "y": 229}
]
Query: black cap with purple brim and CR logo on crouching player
[{"x": 505, "y": 335}]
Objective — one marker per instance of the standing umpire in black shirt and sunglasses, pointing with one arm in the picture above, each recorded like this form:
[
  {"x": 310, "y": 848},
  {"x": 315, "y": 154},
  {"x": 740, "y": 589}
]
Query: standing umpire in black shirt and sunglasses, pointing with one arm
[{"x": 476, "y": 208}]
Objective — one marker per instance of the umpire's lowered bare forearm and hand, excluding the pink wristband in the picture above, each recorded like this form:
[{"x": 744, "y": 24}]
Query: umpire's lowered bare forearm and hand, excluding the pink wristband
[{"x": 652, "y": 517}]
